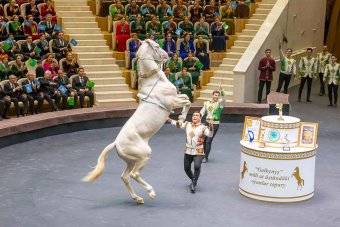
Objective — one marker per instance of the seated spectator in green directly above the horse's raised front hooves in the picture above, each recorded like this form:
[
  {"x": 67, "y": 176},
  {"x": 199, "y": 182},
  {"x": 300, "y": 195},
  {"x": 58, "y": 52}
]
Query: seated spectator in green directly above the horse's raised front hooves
[{"x": 184, "y": 84}]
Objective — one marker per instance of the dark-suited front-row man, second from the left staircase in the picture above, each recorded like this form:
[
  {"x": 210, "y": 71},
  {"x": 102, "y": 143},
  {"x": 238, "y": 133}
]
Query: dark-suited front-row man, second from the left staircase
[{"x": 63, "y": 80}]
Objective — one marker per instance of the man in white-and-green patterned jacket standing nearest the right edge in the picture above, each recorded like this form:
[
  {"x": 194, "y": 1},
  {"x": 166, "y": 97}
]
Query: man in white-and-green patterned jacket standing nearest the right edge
[{"x": 332, "y": 78}]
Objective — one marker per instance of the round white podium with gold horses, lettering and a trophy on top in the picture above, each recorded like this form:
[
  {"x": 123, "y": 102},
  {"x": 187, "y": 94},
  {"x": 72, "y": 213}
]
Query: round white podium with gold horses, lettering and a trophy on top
[{"x": 278, "y": 158}]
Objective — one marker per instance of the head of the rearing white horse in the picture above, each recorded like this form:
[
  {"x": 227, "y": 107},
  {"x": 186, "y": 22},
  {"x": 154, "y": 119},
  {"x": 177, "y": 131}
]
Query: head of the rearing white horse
[{"x": 151, "y": 49}]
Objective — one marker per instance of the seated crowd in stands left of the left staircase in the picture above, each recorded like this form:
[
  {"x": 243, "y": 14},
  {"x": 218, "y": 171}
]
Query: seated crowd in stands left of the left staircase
[{"x": 37, "y": 63}]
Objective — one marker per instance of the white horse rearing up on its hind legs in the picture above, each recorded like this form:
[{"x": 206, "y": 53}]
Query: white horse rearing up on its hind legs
[{"x": 158, "y": 99}]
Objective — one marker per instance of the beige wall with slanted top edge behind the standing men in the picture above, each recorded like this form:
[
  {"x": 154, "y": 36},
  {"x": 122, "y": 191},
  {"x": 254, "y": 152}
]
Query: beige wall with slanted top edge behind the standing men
[{"x": 305, "y": 28}]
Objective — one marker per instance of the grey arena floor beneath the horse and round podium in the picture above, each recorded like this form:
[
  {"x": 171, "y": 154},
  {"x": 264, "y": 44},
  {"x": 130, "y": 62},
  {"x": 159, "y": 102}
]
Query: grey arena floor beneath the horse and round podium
[{"x": 40, "y": 181}]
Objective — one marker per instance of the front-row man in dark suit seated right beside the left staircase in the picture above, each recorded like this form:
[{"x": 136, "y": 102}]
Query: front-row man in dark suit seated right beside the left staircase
[{"x": 79, "y": 83}]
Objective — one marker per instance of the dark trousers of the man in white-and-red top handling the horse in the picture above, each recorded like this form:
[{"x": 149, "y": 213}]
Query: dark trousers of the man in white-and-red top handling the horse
[{"x": 197, "y": 159}]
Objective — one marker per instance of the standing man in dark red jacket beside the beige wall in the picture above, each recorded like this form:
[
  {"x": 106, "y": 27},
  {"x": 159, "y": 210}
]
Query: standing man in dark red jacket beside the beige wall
[{"x": 267, "y": 67}]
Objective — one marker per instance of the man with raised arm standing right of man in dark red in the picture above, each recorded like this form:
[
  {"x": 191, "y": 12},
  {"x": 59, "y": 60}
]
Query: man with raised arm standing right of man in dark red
[{"x": 288, "y": 69}]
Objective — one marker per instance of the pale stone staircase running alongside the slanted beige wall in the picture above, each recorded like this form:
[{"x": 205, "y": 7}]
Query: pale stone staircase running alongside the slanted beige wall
[{"x": 225, "y": 70}]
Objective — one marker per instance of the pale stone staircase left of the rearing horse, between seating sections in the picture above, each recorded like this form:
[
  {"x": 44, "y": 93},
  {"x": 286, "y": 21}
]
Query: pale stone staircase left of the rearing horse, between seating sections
[{"x": 93, "y": 53}]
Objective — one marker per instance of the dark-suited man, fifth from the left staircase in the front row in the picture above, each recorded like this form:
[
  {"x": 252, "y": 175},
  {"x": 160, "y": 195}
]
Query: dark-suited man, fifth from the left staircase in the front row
[{"x": 16, "y": 94}]
